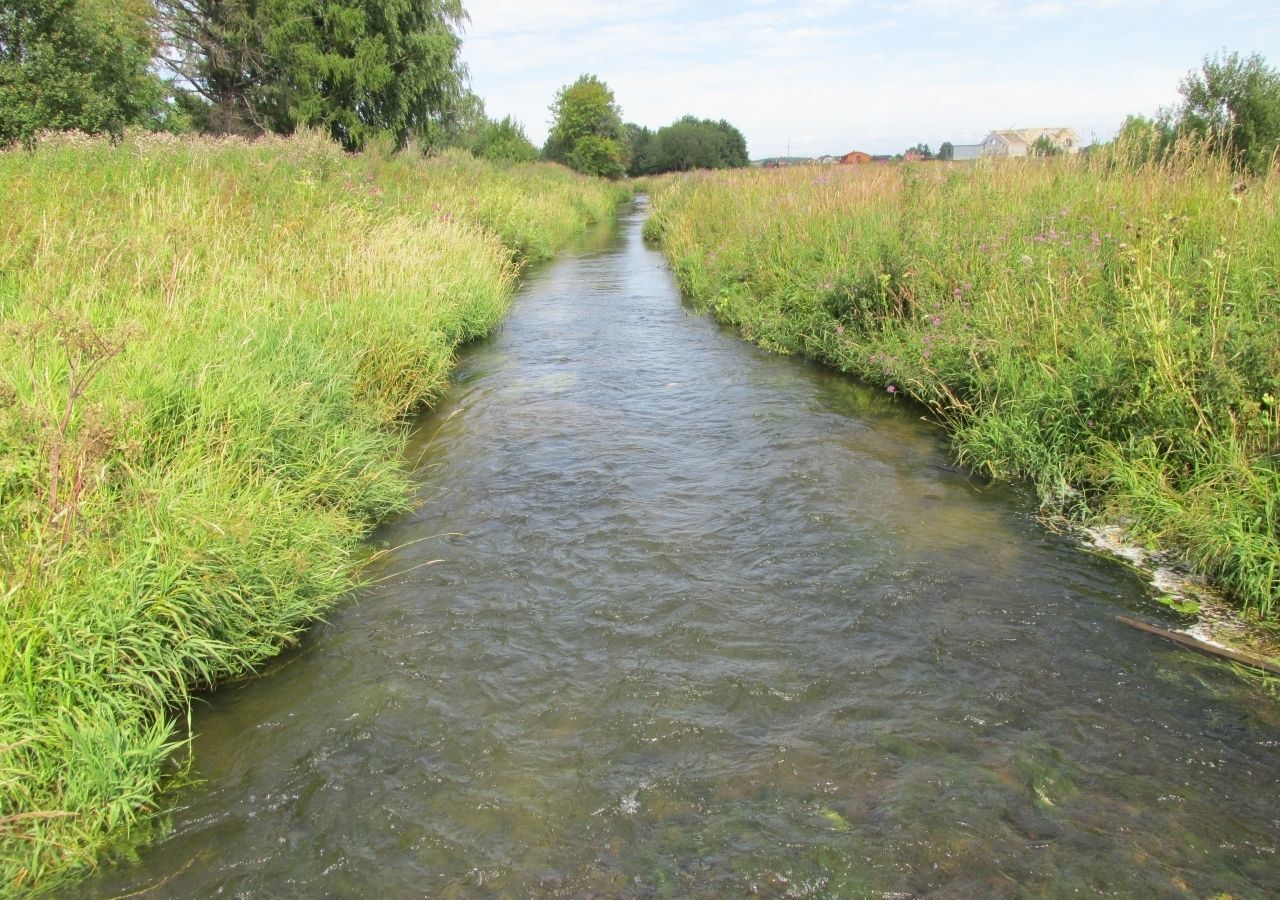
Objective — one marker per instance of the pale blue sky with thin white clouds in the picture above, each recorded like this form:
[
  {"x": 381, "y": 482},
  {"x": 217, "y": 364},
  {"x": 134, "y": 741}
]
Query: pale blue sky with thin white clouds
[{"x": 880, "y": 76}]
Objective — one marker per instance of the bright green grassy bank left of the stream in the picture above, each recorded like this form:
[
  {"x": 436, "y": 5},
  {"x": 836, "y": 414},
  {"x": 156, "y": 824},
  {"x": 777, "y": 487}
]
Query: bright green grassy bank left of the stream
[{"x": 207, "y": 355}]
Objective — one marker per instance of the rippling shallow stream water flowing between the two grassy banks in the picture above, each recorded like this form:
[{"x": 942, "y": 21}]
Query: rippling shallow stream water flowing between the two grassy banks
[{"x": 712, "y": 623}]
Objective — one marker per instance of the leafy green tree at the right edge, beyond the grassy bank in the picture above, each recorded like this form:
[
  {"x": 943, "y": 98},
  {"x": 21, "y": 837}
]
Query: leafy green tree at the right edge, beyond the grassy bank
[{"x": 1236, "y": 102}]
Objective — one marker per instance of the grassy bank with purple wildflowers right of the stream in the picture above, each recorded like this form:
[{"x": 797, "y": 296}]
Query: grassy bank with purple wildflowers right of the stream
[{"x": 1109, "y": 331}]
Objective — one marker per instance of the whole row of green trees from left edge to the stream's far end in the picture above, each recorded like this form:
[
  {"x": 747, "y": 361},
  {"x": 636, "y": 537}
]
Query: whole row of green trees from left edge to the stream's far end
[{"x": 356, "y": 70}]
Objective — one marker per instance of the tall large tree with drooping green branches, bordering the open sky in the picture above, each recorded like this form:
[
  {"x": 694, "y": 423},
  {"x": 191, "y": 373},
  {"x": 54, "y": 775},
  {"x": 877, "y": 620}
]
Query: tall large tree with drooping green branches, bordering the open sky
[{"x": 355, "y": 68}]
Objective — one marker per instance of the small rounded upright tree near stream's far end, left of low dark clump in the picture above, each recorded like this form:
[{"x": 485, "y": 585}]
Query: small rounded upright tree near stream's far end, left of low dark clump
[{"x": 587, "y": 130}]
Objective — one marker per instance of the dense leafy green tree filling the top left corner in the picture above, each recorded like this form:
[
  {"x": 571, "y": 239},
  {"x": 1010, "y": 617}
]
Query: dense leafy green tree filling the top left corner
[{"x": 76, "y": 65}]
